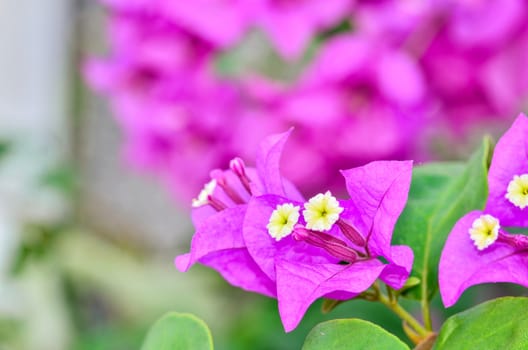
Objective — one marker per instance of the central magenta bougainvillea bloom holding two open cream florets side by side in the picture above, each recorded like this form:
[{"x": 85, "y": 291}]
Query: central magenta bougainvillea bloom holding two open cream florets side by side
[{"x": 339, "y": 257}]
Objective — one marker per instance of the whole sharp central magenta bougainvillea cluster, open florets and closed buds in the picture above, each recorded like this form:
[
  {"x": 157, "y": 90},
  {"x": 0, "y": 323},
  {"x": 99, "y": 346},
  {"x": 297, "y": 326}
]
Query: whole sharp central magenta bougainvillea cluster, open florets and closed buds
[{"x": 249, "y": 229}]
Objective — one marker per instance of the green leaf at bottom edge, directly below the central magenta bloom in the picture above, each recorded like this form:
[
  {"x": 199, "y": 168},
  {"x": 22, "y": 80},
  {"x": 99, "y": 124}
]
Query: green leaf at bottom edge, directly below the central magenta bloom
[{"x": 351, "y": 334}]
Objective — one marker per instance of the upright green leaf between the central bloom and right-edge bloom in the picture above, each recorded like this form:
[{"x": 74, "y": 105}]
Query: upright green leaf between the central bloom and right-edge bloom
[{"x": 440, "y": 194}]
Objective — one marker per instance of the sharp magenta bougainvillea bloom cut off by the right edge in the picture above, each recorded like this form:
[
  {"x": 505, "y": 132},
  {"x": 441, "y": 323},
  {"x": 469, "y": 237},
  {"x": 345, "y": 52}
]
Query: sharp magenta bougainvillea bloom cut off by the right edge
[{"x": 478, "y": 250}]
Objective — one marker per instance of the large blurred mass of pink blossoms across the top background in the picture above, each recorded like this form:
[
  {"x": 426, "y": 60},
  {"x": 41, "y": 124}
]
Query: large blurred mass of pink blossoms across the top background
[{"x": 376, "y": 77}]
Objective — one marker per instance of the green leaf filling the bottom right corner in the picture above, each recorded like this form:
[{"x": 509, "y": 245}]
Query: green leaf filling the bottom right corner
[{"x": 498, "y": 324}]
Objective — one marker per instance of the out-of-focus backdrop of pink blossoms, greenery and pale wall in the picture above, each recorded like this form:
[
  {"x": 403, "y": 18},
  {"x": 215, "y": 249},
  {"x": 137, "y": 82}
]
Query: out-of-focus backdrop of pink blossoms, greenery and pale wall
[{"x": 112, "y": 114}]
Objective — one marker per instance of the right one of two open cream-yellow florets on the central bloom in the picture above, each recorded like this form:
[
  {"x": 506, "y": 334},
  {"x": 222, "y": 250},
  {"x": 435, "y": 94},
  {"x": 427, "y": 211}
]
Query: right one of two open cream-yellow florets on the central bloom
[{"x": 321, "y": 212}]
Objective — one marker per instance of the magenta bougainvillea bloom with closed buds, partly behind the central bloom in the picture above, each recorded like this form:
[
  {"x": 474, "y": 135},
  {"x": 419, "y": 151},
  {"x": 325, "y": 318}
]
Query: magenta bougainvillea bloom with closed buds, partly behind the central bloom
[{"x": 218, "y": 216}]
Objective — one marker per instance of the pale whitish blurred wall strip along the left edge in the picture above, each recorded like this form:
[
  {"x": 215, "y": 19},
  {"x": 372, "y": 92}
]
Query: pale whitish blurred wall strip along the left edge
[{"x": 34, "y": 64}]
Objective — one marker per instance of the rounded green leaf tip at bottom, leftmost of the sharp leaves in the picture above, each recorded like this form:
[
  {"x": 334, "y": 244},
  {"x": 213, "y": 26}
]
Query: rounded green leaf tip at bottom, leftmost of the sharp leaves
[{"x": 178, "y": 331}]
